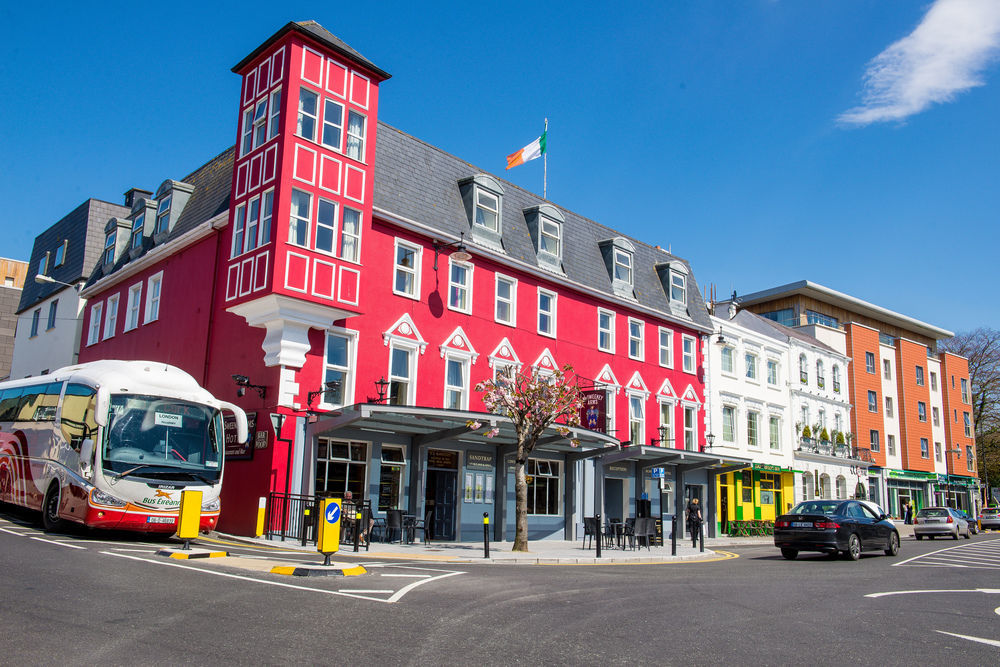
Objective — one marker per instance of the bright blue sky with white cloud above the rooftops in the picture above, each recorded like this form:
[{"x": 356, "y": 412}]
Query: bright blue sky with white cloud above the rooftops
[{"x": 852, "y": 143}]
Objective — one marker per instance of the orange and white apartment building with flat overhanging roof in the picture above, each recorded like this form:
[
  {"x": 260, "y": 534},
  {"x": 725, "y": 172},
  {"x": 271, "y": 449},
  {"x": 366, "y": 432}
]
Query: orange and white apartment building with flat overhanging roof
[{"x": 911, "y": 404}]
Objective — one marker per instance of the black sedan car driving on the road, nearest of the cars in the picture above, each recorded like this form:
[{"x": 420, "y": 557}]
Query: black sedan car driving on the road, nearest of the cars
[{"x": 833, "y": 527}]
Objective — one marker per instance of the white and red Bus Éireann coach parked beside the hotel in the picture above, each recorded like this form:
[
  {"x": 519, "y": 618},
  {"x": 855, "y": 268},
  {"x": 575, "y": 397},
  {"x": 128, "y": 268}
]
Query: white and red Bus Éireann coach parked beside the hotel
[{"x": 112, "y": 444}]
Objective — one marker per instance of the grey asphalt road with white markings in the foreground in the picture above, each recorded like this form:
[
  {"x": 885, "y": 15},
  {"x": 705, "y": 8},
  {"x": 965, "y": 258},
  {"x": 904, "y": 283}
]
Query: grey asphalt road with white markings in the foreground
[{"x": 95, "y": 598}]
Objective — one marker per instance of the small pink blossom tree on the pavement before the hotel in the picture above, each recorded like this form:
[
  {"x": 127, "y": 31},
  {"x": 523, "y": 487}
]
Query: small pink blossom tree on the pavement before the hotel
[{"x": 533, "y": 401}]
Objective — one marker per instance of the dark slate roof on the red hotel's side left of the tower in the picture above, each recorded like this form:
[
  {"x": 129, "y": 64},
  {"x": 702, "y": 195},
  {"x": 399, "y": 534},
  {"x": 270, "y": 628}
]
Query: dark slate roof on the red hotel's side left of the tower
[{"x": 212, "y": 184}]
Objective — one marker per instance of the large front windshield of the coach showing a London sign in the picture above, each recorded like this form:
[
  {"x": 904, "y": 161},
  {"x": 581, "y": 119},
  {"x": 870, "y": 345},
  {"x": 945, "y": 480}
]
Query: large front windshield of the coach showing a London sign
[{"x": 162, "y": 438}]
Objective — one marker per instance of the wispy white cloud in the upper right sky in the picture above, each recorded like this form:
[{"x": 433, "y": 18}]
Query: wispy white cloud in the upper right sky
[{"x": 944, "y": 56}]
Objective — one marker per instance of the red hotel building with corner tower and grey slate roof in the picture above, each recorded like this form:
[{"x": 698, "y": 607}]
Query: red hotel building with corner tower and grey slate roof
[{"x": 362, "y": 282}]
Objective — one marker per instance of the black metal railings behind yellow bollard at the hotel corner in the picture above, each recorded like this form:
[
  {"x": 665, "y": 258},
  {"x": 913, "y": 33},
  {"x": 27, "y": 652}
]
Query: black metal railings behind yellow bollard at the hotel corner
[{"x": 295, "y": 517}]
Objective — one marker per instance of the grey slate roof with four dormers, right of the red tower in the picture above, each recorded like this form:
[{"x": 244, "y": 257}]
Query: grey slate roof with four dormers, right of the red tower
[{"x": 420, "y": 182}]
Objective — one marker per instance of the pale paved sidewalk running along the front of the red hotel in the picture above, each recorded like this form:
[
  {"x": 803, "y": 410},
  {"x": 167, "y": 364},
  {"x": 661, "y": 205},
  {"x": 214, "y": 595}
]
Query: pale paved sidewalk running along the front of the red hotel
[{"x": 542, "y": 552}]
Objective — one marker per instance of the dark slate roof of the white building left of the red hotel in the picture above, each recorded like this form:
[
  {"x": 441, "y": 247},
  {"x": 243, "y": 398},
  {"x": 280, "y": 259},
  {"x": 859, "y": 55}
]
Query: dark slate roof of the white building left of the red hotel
[{"x": 83, "y": 227}]
